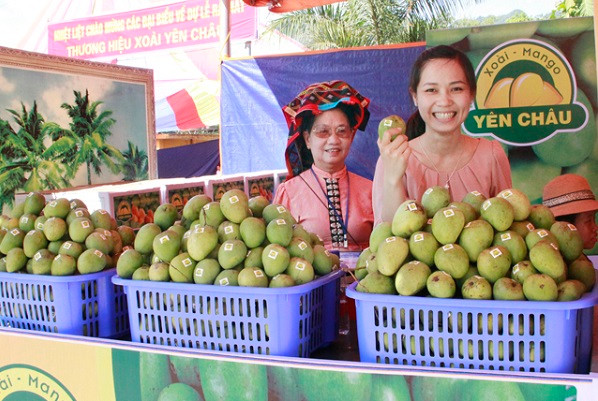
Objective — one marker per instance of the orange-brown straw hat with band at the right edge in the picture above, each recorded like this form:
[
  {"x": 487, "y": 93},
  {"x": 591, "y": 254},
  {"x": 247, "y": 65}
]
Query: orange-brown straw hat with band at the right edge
[{"x": 569, "y": 194}]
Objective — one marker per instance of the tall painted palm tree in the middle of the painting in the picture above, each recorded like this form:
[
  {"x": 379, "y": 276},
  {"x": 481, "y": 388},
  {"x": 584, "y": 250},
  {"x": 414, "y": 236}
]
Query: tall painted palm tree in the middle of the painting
[{"x": 86, "y": 140}]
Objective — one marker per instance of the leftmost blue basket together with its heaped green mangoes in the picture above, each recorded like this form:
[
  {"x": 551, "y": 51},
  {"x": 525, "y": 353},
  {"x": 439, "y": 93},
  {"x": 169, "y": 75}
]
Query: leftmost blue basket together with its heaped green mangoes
[{"x": 55, "y": 272}]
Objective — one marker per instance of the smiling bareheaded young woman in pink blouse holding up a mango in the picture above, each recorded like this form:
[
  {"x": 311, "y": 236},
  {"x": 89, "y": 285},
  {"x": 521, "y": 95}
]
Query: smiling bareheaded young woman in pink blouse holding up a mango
[{"x": 434, "y": 151}]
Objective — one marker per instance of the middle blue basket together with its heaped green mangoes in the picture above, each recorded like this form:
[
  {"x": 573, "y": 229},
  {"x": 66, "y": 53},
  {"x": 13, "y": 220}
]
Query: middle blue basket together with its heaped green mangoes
[{"x": 200, "y": 282}]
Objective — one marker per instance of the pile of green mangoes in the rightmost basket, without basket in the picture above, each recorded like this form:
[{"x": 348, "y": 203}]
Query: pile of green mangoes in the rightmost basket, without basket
[{"x": 500, "y": 248}]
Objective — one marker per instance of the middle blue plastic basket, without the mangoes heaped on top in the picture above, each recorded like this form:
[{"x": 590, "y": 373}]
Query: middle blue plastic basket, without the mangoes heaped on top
[{"x": 291, "y": 321}]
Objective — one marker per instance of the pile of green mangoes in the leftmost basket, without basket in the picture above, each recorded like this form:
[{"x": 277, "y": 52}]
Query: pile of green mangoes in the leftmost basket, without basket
[{"x": 59, "y": 238}]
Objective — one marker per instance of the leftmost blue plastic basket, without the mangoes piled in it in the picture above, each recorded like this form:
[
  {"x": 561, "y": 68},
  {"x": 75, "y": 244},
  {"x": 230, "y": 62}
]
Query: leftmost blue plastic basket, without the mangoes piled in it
[{"x": 87, "y": 305}]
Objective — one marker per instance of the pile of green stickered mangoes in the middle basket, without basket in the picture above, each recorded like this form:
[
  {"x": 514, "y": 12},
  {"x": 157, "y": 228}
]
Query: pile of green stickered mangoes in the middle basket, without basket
[{"x": 237, "y": 241}]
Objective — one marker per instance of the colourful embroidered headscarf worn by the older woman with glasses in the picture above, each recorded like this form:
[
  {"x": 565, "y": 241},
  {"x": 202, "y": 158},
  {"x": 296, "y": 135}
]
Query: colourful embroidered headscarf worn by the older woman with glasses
[{"x": 313, "y": 100}]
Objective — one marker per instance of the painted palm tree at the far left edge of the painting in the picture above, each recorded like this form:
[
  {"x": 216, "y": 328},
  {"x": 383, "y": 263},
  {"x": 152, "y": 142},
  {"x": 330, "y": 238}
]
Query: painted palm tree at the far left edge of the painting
[{"x": 25, "y": 161}]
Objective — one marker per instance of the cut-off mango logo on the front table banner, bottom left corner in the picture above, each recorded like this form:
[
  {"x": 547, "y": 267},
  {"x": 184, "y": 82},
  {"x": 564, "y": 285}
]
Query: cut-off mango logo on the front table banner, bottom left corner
[{"x": 28, "y": 383}]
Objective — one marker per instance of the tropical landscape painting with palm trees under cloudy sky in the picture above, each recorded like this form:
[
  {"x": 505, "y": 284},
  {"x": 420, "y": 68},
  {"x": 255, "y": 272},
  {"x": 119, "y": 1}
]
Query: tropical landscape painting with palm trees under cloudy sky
[{"x": 62, "y": 130}]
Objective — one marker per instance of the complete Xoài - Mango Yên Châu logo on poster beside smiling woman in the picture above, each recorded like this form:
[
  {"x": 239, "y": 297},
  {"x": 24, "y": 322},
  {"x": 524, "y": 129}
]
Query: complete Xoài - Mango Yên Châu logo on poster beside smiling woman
[{"x": 526, "y": 94}]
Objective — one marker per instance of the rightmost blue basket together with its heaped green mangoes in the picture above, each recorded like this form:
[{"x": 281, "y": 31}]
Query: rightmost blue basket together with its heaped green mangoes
[{"x": 482, "y": 284}]
